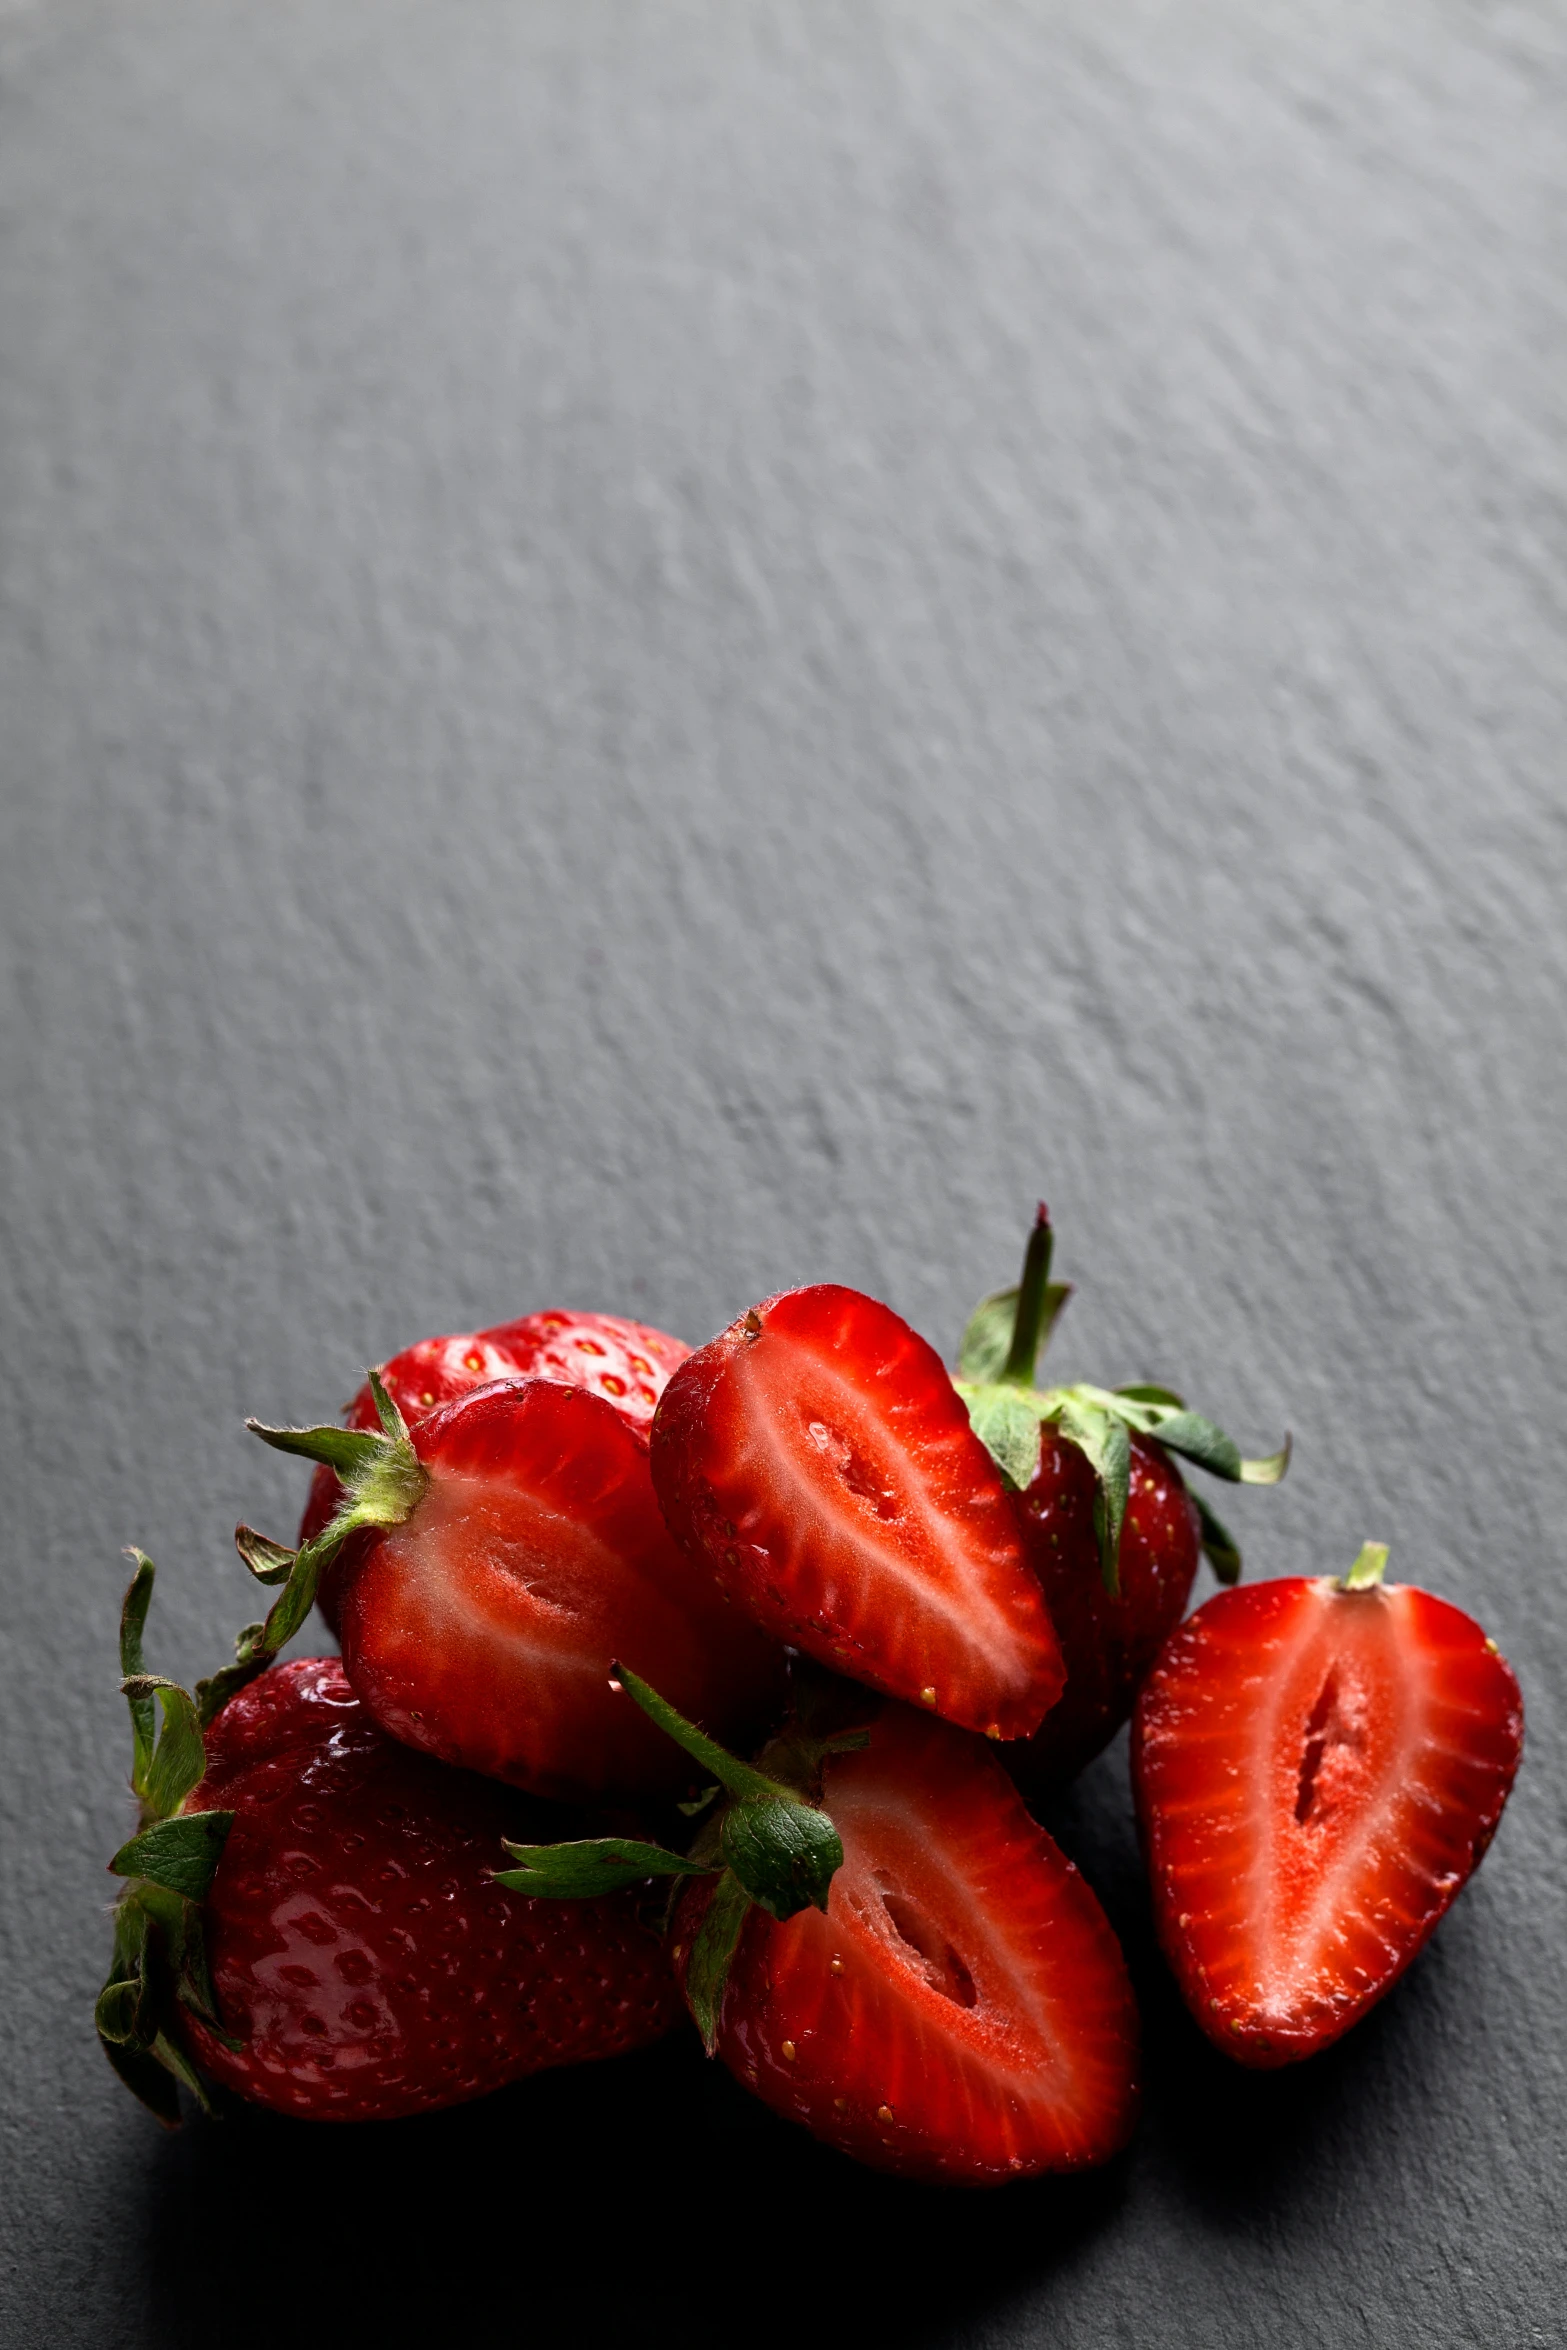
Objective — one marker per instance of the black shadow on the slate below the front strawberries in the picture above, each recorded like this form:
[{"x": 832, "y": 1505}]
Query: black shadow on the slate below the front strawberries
[{"x": 638, "y": 2201}]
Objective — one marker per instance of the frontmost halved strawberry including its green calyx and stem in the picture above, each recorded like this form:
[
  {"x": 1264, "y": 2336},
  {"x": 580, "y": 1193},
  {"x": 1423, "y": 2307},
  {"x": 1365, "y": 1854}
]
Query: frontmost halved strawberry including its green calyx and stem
[{"x": 885, "y": 1947}]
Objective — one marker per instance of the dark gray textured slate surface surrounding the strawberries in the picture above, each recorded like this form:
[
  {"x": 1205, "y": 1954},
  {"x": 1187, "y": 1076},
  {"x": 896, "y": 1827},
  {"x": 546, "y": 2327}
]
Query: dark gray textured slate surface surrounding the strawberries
[{"x": 659, "y": 650}]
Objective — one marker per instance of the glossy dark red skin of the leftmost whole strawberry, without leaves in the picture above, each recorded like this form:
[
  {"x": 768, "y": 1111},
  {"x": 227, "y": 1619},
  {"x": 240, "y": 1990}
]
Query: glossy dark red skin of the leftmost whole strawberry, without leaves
[{"x": 358, "y": 1945}]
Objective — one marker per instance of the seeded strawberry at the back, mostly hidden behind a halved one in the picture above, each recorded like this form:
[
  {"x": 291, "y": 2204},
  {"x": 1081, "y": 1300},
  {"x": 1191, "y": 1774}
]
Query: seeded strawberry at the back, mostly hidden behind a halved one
[{"x": 624, "y": 1362}]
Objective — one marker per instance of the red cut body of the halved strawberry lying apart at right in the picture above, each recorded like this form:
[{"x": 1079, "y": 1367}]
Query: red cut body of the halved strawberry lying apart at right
[{"x": 1317, "y": 1778}]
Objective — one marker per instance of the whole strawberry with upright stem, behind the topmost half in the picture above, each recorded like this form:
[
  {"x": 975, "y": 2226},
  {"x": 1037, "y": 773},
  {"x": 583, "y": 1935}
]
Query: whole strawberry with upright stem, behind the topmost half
[{"x": 1103, "y": 1510}]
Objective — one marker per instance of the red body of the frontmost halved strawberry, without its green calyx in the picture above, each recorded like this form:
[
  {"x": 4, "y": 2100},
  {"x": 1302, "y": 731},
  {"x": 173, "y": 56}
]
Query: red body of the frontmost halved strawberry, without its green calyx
[{"x": 962, "y": 2010}]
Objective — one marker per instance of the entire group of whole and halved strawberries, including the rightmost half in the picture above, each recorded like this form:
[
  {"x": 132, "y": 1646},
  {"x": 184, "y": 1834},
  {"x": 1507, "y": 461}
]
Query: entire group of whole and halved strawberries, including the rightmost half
[{"x": 720, "y": 1684}]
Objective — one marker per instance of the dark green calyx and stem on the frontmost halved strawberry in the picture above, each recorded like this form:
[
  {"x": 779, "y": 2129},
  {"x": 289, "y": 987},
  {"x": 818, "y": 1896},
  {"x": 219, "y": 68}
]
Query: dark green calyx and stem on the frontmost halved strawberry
[{"x": 769, "y": 1844}]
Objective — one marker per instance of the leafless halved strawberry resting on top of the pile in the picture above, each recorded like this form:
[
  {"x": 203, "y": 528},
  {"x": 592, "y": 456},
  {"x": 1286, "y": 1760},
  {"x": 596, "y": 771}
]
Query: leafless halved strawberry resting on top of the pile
[{"x": 819, "y": 1461}]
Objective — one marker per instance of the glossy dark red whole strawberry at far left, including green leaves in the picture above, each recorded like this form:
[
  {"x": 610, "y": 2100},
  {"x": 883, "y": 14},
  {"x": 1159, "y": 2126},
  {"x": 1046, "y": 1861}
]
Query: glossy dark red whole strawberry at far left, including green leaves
[{"x": 314, "y": 1926}]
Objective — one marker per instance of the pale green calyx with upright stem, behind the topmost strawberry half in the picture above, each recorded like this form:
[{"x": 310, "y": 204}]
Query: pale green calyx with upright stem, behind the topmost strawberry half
[{"x": 997, "y": 1381}]
